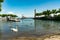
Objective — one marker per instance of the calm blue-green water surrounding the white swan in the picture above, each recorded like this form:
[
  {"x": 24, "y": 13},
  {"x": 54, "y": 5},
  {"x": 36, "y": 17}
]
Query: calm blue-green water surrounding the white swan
[{"x": 28, "y": 27}]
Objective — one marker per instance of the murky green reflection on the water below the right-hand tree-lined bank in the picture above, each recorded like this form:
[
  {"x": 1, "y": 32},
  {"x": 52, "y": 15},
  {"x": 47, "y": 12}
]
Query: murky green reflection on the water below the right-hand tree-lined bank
[{"x": 47, "y": 27}]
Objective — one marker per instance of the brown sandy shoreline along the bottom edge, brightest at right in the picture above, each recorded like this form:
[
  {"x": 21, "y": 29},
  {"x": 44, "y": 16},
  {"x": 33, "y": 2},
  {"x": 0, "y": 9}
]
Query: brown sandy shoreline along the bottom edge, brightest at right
[{"x": 45, "y": 37}]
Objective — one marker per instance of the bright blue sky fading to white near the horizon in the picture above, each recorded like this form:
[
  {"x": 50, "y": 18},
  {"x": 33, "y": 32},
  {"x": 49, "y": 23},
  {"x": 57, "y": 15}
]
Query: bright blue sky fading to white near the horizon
[{"x": 26, "y": 7}]
